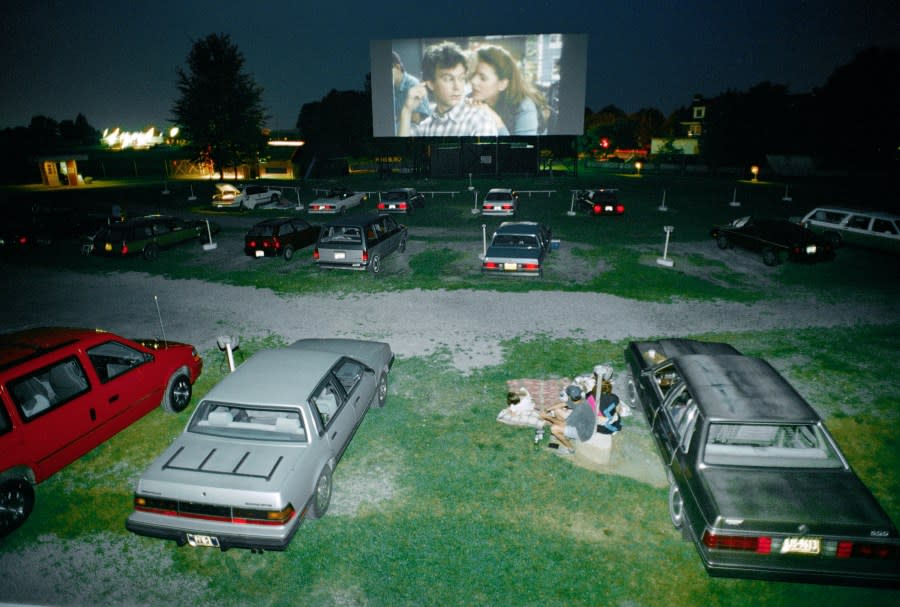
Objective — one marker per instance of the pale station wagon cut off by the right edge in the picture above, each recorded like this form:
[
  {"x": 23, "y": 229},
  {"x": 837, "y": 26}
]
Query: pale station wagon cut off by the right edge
[{"x": 871, "y": 229}]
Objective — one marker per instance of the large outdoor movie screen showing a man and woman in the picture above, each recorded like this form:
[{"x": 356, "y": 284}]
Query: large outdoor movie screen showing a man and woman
[{"x": 479, "y": 86}]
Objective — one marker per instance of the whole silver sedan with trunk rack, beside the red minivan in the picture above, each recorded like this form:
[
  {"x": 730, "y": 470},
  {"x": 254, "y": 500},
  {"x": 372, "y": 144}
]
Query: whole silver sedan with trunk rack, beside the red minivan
[{"x": 258, "y": 454}]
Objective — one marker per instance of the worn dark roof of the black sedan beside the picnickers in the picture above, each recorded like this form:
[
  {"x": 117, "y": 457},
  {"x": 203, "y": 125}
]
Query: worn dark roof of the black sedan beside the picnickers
[{"x": 742, "y": 388}]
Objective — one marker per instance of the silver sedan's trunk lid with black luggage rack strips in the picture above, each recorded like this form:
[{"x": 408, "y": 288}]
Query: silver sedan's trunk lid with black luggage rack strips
[{"x": 205, "y": 468}]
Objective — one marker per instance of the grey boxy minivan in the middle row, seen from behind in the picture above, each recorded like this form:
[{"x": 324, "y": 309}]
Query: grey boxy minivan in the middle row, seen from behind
[{"x": 359, "y": 242}]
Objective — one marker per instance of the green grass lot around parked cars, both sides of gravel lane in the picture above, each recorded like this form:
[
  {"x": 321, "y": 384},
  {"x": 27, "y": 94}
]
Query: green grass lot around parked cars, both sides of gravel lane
[{"x": 435, "y": 502}]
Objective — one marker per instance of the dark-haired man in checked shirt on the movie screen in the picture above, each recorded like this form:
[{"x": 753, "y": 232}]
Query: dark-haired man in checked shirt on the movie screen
[{"x": 444, "y": 71}]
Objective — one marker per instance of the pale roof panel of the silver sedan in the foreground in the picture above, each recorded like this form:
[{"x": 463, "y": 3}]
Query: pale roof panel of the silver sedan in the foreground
[{"x": 284, "y": 376}]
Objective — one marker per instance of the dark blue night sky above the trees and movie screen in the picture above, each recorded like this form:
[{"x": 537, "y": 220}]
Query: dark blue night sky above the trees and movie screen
[{"x": 115, "y": 62}]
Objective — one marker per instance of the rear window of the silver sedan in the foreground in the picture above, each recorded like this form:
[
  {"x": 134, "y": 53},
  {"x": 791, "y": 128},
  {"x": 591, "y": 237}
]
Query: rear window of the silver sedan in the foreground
[{"x": 229, "y": 420}]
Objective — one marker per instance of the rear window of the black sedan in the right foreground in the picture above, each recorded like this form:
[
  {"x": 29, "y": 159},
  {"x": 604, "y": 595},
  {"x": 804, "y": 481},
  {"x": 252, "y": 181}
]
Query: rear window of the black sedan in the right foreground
[{"x": 770, "y": 446}]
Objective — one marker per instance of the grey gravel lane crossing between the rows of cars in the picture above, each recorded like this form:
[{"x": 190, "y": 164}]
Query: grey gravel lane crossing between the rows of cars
[{"x": 469, "y": 324}]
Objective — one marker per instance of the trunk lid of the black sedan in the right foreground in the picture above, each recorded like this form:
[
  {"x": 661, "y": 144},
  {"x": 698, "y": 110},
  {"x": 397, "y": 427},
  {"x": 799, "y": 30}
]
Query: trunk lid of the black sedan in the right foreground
[{"x": 831, "y": 501}]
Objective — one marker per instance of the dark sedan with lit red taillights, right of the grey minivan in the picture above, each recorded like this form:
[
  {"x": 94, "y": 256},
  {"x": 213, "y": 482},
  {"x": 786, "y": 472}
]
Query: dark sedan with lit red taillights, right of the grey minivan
[{"x": 518, "y": 248}]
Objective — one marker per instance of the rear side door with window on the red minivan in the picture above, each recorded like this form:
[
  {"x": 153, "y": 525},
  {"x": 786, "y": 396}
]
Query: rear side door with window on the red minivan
[{"x": 58, "y": 412}]
